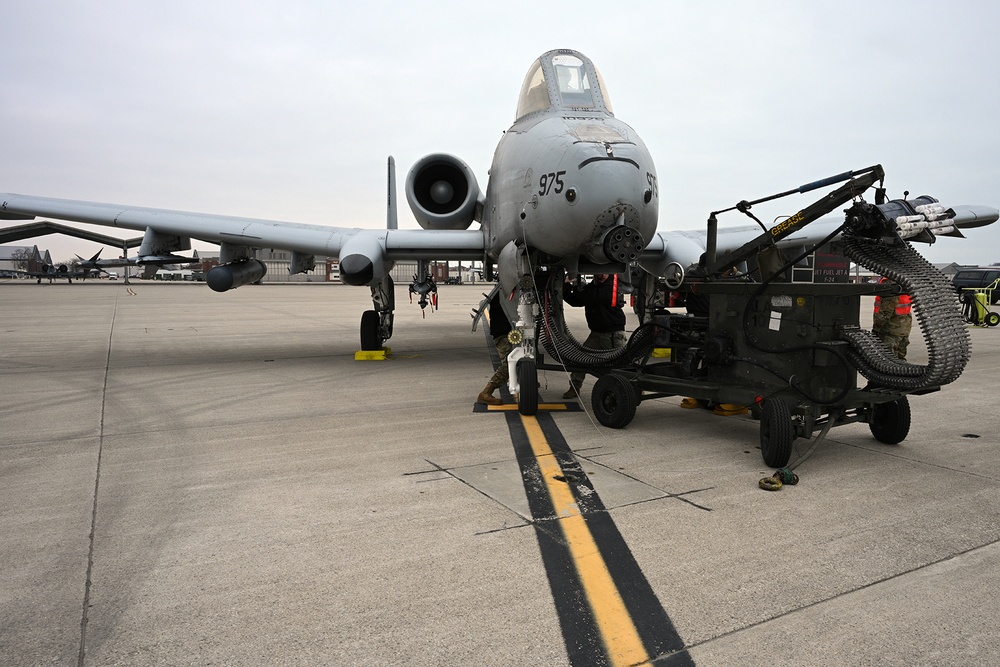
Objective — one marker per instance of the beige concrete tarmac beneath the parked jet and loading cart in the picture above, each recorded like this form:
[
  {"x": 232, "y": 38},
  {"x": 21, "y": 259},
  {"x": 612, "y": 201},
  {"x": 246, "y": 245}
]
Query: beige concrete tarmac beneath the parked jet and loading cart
[{"x": 192, "y": 478}]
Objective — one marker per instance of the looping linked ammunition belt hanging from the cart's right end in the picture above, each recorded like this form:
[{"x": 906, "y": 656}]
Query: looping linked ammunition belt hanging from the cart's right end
[{"x": 938, "y": 314}]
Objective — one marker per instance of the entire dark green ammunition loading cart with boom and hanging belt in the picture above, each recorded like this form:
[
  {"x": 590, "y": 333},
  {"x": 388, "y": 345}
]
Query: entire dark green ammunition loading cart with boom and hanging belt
[{"x": 793, "y": 351}]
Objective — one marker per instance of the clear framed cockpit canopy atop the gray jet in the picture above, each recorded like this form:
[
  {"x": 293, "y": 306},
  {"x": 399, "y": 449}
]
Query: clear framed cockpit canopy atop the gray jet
[{"x": 565, "y": 80}]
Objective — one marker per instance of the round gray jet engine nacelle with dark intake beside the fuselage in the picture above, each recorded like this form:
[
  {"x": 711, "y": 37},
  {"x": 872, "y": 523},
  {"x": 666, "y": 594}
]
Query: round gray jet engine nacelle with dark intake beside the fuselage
[{"x": 443, "y": 192}]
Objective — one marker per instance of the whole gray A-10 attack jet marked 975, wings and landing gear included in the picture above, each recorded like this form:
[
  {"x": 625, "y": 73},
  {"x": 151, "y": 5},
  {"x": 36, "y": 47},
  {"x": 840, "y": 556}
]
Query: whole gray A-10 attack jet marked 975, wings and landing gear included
[{"x": 572, "y": 190}]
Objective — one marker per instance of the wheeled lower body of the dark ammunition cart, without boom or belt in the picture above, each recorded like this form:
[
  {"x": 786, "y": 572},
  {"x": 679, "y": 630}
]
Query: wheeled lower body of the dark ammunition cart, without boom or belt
[{"x": 796, "y": 373}]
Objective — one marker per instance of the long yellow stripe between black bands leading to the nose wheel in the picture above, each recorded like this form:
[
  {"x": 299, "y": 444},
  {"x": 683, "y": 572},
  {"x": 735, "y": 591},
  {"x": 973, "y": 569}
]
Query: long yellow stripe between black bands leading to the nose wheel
[{"x": 618, "y": 632}]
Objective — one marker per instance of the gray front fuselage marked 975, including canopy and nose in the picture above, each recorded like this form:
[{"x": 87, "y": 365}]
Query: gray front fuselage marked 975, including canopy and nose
[{"x": 568, "y": 171}]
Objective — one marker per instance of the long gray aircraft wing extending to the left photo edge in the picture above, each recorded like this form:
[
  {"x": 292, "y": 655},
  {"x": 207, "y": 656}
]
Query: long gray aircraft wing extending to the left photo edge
[{"x": 388, "y": 244}]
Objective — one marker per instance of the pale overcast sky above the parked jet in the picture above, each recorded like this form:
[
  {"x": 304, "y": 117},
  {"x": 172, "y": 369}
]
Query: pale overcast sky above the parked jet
[{"x": 287, "y": 110}]
